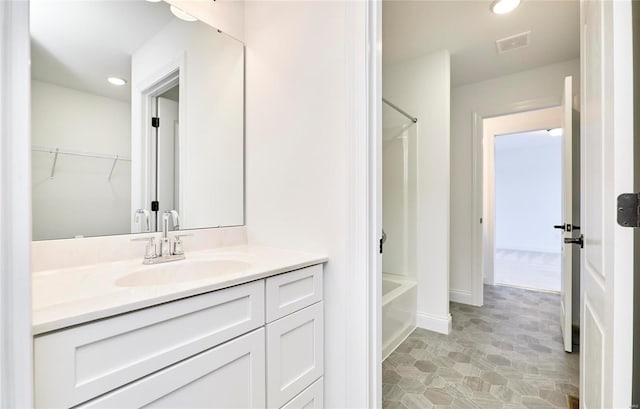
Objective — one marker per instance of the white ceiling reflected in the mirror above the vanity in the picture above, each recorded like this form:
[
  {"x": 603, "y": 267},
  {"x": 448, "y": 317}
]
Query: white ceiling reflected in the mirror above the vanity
[{"x": 78, "y": 44}]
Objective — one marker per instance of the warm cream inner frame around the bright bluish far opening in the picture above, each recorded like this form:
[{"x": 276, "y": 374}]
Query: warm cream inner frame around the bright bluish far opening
[{"x": 526, "y": 121}]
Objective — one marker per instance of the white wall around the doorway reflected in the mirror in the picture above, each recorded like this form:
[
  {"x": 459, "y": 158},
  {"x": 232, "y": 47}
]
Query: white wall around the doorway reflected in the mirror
[{"x": 211, "y": 121}]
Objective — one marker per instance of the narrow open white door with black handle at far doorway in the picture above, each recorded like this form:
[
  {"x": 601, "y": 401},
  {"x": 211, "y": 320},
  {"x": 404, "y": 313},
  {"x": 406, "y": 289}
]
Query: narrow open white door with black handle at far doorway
[{"x": 566, "y": 279}]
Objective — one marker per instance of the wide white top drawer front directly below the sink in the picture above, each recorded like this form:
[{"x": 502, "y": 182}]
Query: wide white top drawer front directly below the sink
[{"x": 79, "y": 363}]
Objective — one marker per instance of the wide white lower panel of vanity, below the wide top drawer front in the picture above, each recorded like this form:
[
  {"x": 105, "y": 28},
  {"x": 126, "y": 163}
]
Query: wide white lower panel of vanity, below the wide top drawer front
[{"x": 231, "y": 375}]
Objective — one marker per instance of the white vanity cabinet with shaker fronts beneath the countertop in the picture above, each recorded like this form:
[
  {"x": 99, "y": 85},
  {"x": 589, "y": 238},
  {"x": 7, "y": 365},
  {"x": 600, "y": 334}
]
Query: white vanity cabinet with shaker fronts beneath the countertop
[{"x": 258, "y": 344}]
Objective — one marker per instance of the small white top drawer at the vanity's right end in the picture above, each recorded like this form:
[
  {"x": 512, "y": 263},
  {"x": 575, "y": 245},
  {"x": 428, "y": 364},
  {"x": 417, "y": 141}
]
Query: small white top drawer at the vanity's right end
[{"x": 290, "y": 292}]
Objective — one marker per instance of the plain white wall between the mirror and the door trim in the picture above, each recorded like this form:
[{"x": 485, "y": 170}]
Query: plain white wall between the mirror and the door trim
[{"x": 300, "y": 78}]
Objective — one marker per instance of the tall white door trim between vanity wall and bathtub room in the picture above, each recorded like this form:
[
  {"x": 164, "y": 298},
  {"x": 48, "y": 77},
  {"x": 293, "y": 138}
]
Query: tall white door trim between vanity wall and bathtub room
[{"x": 362, "y": 331}]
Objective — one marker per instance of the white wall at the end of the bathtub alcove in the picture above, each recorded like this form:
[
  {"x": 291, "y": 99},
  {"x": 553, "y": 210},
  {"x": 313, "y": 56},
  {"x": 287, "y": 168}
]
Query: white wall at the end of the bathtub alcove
[{"x": 421, "y": 86}]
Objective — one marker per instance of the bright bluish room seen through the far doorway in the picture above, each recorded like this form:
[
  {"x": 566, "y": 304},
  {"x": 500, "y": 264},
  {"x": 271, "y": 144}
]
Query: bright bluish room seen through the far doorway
[{"x": 528, "y": 202}]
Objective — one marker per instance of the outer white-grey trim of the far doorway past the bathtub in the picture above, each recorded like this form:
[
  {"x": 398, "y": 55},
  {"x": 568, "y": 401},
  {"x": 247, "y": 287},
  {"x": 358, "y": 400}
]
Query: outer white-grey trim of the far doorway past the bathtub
[{"x": 477, "y": 230}]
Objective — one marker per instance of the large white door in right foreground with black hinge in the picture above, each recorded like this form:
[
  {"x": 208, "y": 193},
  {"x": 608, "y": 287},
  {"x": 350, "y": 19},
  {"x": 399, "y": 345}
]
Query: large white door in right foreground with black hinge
[{"x": 607, "y": 171}]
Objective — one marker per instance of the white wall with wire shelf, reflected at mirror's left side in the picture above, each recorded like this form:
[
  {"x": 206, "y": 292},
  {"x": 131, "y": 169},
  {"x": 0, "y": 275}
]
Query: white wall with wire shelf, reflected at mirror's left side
[{"x": 79, "y": 200}]
